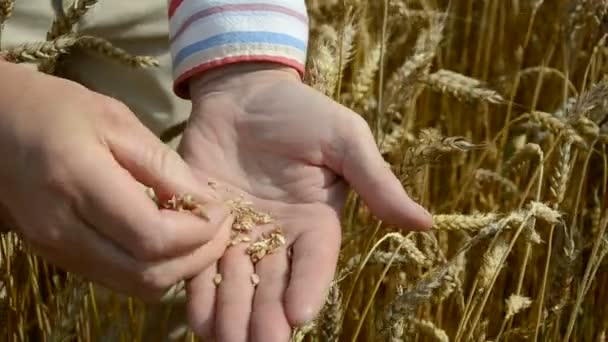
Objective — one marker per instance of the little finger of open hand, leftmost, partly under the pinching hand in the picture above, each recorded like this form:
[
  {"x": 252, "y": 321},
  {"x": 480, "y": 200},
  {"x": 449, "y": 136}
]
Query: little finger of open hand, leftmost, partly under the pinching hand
[{"x": 201, "y": 292}]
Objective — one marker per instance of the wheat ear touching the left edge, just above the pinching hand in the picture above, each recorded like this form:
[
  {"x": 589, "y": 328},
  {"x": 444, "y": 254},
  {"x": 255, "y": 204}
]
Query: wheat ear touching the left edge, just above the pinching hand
[{"x": 36, "y": 52}]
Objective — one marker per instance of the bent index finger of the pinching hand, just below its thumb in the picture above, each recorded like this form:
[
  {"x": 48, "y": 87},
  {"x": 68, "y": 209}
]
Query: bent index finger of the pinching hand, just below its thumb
[{"x": 114, "y": 203}]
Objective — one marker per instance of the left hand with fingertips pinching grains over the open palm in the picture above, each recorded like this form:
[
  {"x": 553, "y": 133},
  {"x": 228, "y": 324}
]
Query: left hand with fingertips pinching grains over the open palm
[{"x": 72, "y": 177}]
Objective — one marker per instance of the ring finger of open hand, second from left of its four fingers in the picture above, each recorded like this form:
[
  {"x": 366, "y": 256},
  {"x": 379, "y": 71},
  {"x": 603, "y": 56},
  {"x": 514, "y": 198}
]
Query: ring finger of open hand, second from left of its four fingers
[{"x": 234, "y": 296}]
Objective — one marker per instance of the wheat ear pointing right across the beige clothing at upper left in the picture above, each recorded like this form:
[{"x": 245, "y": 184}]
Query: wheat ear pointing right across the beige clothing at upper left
[{"x": 104, "y": 47}]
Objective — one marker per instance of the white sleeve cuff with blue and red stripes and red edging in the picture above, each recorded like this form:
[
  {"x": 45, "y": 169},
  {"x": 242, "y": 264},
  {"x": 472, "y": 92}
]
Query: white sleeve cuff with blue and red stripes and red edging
[{"x": 205, "y": 34}]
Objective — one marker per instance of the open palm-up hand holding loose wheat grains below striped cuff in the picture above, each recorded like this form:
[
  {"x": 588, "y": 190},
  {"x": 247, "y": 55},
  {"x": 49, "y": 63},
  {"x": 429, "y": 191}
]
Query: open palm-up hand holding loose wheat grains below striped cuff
[{"x": 259, "y": 131}]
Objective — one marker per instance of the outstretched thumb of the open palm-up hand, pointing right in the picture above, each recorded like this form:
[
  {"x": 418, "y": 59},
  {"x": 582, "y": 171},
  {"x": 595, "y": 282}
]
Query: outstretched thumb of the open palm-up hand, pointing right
[{"x": 356, "y": 156}]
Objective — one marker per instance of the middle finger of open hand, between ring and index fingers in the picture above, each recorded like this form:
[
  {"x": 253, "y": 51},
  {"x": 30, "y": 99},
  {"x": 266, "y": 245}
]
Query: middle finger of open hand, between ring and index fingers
[{"x": 268, "y": 321}]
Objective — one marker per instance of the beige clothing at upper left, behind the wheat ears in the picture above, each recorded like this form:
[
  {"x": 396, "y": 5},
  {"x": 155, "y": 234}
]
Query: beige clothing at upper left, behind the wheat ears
[{"x": 138, "y": 26}]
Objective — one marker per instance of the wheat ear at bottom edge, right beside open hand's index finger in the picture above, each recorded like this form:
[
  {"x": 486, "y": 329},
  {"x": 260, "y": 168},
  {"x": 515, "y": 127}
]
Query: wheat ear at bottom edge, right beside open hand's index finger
[{"x": 329, "y": 327}]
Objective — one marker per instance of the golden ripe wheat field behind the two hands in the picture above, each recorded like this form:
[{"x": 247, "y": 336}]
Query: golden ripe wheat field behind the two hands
[{"x": 493, "y": 113}]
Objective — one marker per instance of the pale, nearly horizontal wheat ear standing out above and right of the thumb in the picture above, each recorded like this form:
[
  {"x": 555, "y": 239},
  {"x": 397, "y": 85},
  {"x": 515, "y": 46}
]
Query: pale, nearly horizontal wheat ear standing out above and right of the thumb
[{"x": 460, "y": 86}]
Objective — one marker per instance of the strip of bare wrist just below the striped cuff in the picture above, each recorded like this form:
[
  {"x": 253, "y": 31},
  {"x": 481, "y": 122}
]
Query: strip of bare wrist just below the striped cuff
[{"x": 239, "y": 79}]
